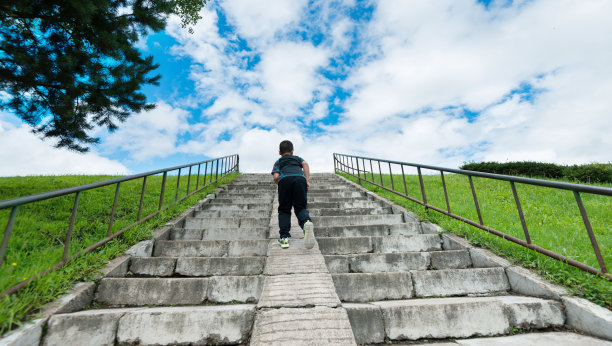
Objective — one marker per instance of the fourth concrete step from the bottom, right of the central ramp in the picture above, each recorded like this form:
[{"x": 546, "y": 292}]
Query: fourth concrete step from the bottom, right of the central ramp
[{"x": 384, "y": 244}]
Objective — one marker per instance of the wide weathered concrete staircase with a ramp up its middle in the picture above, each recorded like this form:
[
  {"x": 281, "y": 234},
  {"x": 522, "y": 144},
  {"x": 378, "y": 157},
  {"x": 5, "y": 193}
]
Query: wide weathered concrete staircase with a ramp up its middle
[{"x": 374, "y": 276}]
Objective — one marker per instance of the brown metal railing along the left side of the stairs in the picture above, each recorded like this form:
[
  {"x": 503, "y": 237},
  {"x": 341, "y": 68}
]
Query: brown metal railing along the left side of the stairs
[{"x": 214, "y": 169}]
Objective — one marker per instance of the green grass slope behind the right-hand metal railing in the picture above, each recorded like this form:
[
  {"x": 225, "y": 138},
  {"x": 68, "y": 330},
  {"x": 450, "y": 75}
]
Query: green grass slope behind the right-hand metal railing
[{"x": 552, "y": 217}]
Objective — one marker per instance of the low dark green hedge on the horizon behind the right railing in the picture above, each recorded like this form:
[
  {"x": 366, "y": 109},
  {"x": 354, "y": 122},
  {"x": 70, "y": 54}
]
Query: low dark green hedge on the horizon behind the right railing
[{"x": 589, "y": 173}]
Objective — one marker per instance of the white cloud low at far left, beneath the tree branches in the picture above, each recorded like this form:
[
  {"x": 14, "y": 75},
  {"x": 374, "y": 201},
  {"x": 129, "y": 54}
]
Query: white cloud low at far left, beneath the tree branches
[{"x": 23, "y": 153}]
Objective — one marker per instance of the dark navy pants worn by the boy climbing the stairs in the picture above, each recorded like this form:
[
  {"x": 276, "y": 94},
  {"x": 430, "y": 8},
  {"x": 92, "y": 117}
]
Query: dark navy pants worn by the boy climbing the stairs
[{"x": 292, "y": 192}]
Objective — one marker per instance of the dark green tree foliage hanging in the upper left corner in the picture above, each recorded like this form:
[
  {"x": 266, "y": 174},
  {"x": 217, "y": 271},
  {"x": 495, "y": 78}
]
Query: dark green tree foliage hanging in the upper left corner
[{"x": 68, "y": 66}]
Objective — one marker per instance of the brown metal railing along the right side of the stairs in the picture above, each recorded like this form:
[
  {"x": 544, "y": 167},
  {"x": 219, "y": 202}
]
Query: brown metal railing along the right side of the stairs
[{"x": 351, "y": 165}]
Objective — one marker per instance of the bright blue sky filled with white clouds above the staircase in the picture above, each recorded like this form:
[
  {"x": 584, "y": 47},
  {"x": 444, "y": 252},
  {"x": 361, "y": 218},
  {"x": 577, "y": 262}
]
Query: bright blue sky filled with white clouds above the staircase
[{"x": 435, "y": 82}]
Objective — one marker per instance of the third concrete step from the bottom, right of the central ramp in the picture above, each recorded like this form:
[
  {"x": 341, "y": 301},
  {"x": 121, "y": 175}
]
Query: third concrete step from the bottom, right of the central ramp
[{"x": 401, "y": 261}]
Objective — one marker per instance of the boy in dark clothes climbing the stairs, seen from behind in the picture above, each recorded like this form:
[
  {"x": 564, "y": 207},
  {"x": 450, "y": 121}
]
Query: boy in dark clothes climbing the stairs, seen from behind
[{"x": 292, "y": 174}]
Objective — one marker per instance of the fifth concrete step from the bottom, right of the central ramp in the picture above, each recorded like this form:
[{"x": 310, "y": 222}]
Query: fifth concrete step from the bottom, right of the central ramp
[{"x": 407, "y": 228}]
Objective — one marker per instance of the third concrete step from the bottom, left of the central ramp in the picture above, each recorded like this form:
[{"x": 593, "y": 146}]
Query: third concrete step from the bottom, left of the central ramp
[{"x": 197, "y": 266}]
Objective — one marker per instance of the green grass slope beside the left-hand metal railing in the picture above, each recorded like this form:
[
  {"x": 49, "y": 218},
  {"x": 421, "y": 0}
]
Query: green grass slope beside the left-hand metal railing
[{"x": 40, "y": 228}]
